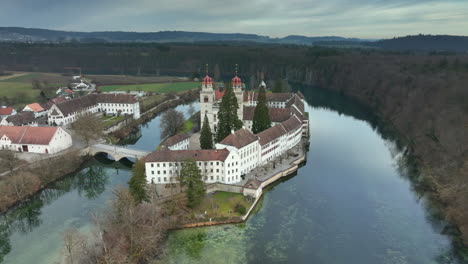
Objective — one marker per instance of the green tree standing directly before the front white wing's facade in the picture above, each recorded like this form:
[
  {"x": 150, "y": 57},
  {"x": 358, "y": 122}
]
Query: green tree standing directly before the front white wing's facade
[{"x": 191, "y": 177}]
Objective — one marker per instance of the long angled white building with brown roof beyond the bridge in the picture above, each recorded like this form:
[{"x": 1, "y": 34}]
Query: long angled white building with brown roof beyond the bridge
[{"x": 67, "y": 112}]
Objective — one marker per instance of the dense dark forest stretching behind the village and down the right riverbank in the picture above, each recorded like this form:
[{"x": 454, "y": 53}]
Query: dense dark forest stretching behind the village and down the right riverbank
[{"x": 423, "y": 96}]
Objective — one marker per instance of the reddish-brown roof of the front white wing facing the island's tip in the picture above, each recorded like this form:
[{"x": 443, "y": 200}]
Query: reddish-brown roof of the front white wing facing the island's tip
[{"x": 183, "y": 155}]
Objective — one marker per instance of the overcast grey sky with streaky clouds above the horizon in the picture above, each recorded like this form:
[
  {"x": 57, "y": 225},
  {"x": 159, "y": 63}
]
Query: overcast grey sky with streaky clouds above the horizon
[{"x": 276, "y": 18}]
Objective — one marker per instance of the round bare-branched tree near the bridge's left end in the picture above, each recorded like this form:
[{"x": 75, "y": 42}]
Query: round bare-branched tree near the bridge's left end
[{"x": 88, "y": 127}]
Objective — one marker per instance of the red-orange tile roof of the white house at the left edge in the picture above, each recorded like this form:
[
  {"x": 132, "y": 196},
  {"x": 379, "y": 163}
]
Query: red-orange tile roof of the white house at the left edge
[{"x": 28, "y": 135}]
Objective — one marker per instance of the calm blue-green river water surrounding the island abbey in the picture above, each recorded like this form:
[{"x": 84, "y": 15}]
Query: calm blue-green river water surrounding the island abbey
[{"x": 352, "y": 202}]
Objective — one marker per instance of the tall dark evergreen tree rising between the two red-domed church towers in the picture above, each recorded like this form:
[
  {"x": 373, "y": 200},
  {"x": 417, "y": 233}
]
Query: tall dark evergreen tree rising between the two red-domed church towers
[{"x": 227, "y": 114}]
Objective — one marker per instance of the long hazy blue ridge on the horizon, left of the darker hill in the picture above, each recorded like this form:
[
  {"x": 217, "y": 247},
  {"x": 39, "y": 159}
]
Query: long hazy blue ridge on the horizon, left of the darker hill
[{"x": 19, "y": 34}]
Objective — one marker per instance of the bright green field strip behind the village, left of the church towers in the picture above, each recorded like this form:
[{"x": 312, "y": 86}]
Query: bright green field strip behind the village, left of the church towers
[{"x": 152, "y": 87}]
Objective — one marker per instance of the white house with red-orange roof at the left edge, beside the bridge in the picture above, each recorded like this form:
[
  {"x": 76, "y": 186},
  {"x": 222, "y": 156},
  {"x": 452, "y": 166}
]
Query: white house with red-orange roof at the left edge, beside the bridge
[{"x": 45, "y": 140}]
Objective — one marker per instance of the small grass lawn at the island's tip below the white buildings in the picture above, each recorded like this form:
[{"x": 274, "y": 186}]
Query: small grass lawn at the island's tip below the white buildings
[{"x": 222, "y": 204}]
